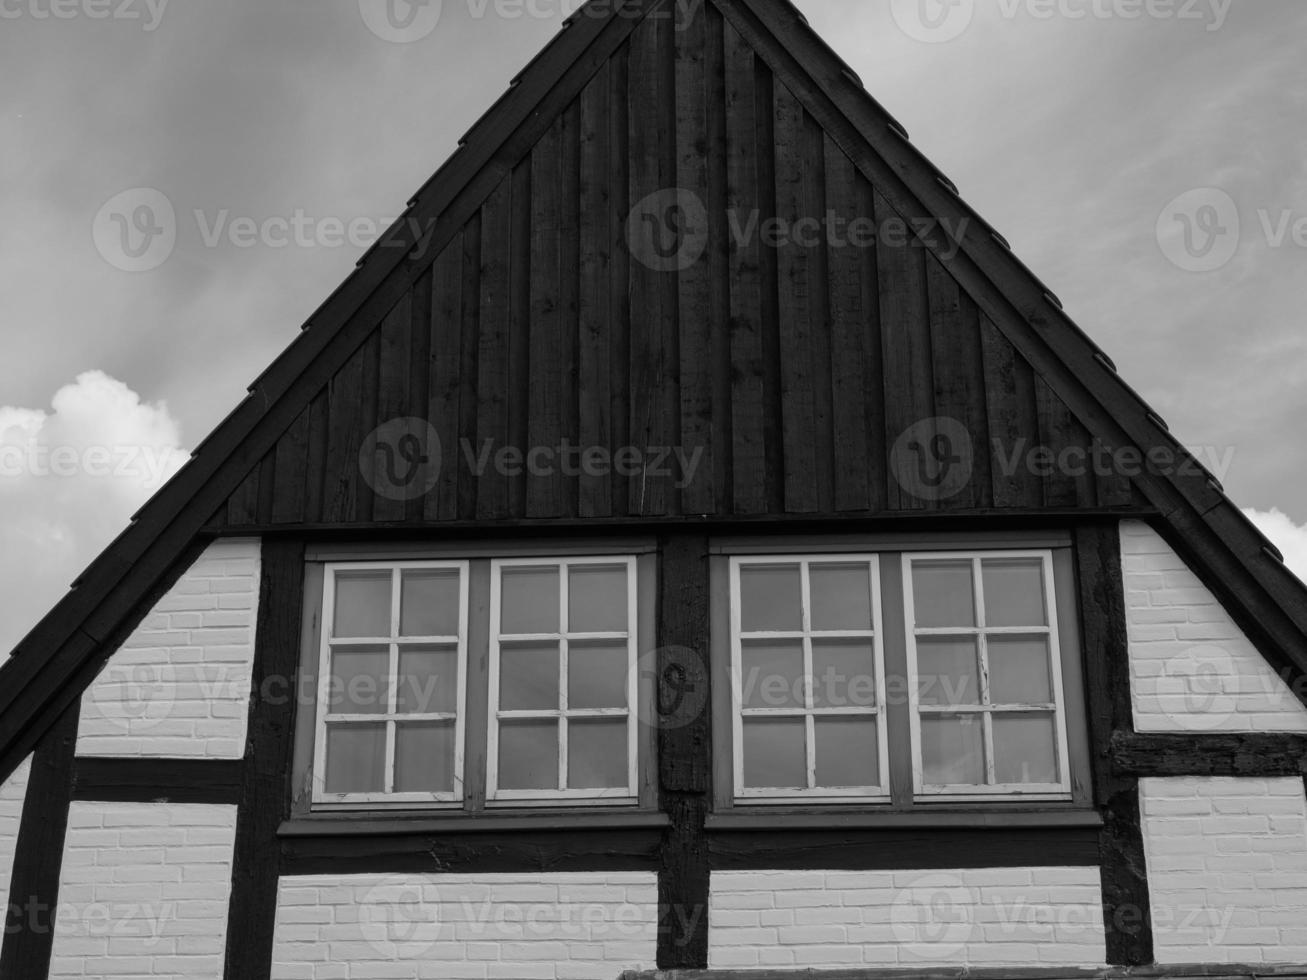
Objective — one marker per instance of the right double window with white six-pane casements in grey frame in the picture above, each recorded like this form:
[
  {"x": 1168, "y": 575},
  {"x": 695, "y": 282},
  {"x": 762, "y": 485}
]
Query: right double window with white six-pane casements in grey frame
[{"x": 905, "y": 678}]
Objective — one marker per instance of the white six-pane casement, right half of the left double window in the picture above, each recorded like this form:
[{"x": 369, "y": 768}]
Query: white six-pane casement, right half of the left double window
[{"x": 563, "y": 680}]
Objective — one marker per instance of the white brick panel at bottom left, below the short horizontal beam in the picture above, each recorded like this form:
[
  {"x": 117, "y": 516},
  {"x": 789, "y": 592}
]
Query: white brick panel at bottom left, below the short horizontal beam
[{"x": 144, "y": 892}]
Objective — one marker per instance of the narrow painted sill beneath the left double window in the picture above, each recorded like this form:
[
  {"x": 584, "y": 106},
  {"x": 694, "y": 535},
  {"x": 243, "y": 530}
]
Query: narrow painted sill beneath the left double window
[{"x": 372, "y": 824}]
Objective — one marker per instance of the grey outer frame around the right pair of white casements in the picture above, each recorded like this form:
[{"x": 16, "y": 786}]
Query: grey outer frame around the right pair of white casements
[{"x": 733, "y": 813}]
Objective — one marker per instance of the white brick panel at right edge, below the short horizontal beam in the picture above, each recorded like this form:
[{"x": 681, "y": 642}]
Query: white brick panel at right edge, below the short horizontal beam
[{"x": 1228, "y": 870}]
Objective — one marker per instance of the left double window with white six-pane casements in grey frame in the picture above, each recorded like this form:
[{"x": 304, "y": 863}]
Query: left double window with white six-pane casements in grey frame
[{"x": 463, "y": 681}]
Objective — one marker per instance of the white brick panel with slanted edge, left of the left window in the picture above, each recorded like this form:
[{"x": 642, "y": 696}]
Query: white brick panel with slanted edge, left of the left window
[{"x": 180, "y": 687}]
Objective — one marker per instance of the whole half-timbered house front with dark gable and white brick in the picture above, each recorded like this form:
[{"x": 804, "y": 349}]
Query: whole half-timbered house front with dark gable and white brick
[{"x": 691, "y": 540}]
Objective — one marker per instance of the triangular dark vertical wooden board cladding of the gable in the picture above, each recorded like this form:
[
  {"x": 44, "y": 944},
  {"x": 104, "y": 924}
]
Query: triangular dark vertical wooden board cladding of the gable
[{"x": 767, "y": 377}]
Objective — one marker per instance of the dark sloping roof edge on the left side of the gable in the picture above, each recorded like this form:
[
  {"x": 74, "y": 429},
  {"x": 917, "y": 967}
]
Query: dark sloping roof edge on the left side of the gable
[{"x": 113, "y": 585}]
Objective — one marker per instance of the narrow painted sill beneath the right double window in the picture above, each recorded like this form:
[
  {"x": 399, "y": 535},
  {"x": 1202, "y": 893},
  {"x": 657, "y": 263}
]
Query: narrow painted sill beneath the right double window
[{"x": 827, "y": 819}]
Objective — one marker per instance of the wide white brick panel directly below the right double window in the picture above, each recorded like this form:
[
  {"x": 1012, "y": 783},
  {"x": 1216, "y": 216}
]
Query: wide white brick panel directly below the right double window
[{"x": 1021, "y": 917}]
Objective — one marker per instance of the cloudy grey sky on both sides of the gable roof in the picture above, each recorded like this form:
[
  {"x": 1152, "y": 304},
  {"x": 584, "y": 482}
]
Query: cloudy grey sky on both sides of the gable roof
[{"x": 1148, "y": 160}]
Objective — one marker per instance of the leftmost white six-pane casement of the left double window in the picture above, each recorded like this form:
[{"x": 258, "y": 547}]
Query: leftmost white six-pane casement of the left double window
[{"x": 391, "y": 684}]
